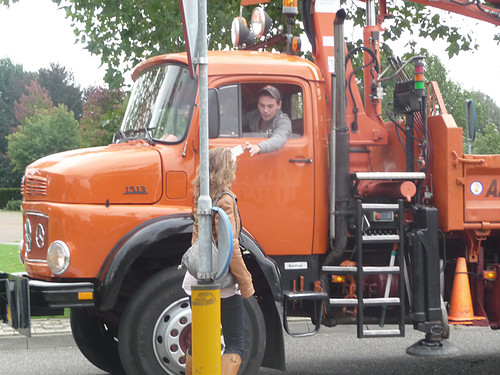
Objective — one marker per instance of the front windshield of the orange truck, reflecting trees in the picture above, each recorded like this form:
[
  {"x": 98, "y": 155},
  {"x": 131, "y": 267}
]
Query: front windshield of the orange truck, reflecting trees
[{"x": 160, "y": 105}]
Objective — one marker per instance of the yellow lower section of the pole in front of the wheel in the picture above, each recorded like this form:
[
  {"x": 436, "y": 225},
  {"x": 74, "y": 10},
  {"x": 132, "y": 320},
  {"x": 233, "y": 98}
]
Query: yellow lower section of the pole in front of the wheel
[{"x": 205, "y": 306}]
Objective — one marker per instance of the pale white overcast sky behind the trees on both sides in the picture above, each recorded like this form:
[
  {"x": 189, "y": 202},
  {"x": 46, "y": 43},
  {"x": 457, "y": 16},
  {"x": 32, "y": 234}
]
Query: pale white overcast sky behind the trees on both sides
[{"x": 35, "y": 33}]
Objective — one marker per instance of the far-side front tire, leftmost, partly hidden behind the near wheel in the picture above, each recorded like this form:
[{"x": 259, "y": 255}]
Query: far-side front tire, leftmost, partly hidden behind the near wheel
[{"x": 96, "y": 340}]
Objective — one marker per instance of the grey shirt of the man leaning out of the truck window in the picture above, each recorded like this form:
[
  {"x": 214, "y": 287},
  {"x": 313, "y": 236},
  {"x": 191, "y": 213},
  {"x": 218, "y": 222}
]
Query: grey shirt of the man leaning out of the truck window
[{"x": 278, "y": 129}]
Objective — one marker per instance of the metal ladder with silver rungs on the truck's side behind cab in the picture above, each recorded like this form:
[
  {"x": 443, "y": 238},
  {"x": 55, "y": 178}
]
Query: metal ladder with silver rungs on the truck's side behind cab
[{"x": 362, "y": 238}]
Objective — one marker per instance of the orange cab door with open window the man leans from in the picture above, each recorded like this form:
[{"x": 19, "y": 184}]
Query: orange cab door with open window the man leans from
[{"x": 275, "y": 190}]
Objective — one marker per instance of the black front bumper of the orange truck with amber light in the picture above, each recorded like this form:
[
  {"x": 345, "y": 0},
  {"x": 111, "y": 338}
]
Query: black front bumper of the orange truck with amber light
[{"x": 21, "y": 298}]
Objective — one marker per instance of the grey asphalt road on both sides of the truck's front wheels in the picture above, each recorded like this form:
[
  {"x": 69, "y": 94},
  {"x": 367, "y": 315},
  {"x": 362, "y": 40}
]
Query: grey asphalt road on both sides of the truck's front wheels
[{"x": 332, "y": 351}]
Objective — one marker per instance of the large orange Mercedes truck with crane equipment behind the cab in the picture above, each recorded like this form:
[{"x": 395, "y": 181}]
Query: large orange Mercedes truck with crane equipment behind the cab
[{"x": 353, "y": 221}]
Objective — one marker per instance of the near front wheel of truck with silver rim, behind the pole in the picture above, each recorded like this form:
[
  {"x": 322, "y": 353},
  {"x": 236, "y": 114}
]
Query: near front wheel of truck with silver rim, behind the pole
[{"x": 161, "y": 306}]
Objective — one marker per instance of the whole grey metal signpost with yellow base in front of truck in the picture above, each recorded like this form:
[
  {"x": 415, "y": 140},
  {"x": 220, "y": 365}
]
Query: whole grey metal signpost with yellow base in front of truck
[{"x": 205, "y": 298}]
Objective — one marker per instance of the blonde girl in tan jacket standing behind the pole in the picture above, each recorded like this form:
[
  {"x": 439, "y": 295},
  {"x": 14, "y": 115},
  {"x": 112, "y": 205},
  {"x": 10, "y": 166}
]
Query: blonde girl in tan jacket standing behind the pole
[{"x": 222, "y": 174}]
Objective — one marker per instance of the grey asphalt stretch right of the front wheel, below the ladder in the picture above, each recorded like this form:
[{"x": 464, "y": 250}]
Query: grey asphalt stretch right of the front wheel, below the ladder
[{"x": 338, "y": 351}]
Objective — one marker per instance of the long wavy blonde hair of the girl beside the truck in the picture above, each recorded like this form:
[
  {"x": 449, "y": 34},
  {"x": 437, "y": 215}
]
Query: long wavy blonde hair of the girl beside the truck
[{"x": 222, "y": 173}]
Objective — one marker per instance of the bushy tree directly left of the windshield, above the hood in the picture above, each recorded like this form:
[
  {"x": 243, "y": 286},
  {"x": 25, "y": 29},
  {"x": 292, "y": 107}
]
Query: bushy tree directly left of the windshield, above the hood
[{"x": 103, "y": 112}]
